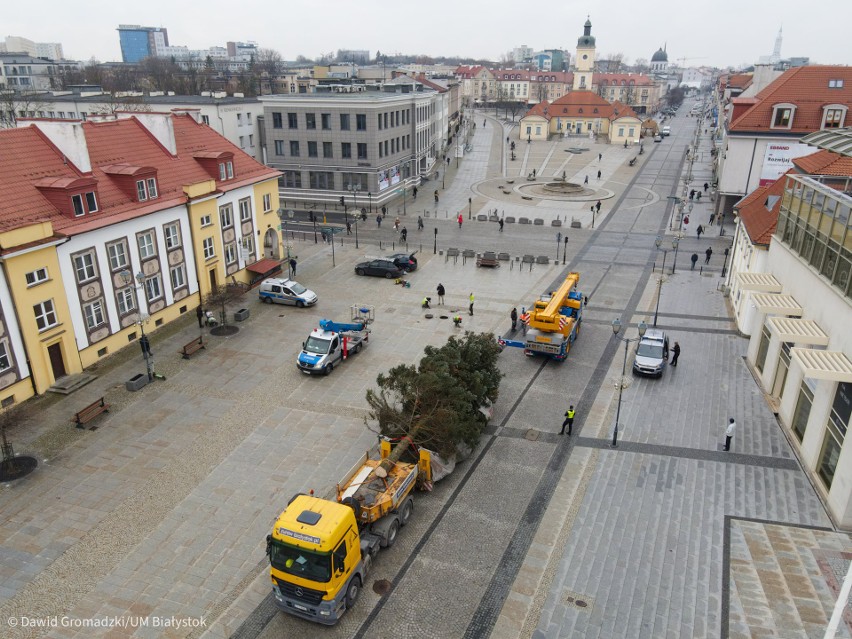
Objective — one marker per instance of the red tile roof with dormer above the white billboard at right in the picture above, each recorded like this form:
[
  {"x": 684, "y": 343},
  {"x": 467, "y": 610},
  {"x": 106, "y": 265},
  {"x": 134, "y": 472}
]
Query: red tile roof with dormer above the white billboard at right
[{"x": 807, "y": 88}]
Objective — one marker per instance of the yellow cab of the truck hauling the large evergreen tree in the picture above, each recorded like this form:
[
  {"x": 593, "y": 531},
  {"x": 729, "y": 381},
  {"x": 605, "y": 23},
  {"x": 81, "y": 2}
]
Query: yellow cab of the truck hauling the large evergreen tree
[{"x": 316, "y": 561}]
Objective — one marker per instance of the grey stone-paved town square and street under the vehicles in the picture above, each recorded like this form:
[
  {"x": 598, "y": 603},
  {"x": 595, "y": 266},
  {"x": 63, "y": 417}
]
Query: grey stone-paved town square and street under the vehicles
[{"x": 164, "y": 509}]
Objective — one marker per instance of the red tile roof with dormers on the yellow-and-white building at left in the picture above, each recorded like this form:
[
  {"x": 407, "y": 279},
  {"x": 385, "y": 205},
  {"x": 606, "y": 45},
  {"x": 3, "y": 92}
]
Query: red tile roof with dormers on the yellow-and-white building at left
[{"x": 28, "y": 159}]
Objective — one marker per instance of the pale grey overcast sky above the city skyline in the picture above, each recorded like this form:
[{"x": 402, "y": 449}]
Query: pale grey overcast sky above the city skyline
[{"x": 716, "y": 33}]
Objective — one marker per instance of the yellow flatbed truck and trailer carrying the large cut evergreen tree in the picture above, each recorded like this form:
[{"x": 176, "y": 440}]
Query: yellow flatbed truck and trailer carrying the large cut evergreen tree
[{"x": 321, "y": 551}]
